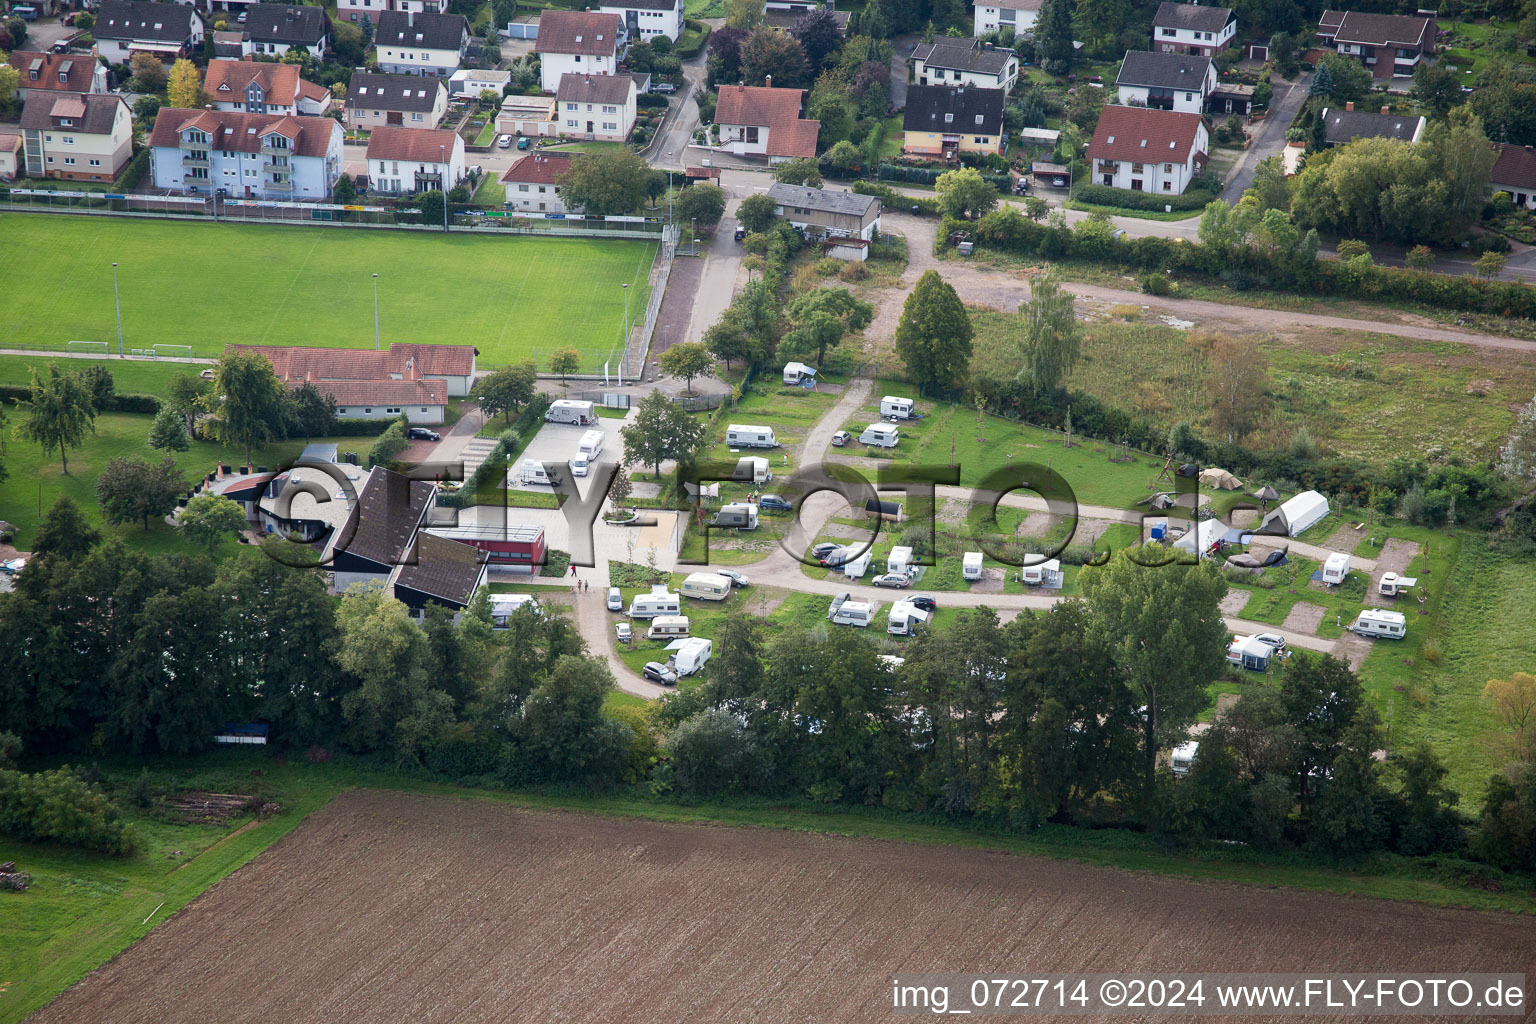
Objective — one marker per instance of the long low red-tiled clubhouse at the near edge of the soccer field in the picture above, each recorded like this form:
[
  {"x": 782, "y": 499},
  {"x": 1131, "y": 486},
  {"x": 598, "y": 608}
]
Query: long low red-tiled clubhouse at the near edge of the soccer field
[{"x": 296, "y": 365}]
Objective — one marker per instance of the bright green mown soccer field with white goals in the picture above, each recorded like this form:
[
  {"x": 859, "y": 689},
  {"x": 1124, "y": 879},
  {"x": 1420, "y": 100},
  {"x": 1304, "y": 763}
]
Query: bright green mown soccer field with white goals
[{"x": 213, "y": 285}]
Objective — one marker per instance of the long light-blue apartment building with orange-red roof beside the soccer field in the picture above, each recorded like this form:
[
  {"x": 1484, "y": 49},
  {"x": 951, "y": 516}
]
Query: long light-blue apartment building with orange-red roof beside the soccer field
[{"x": 250, "y": 156}]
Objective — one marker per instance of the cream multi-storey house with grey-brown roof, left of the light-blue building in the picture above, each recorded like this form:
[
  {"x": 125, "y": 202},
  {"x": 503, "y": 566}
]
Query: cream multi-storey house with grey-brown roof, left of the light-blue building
[{"x": 78, "y": 136}]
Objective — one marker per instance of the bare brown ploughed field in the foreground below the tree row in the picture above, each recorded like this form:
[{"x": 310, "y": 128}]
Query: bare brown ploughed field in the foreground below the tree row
[{"x": 396, "y": 908}]
